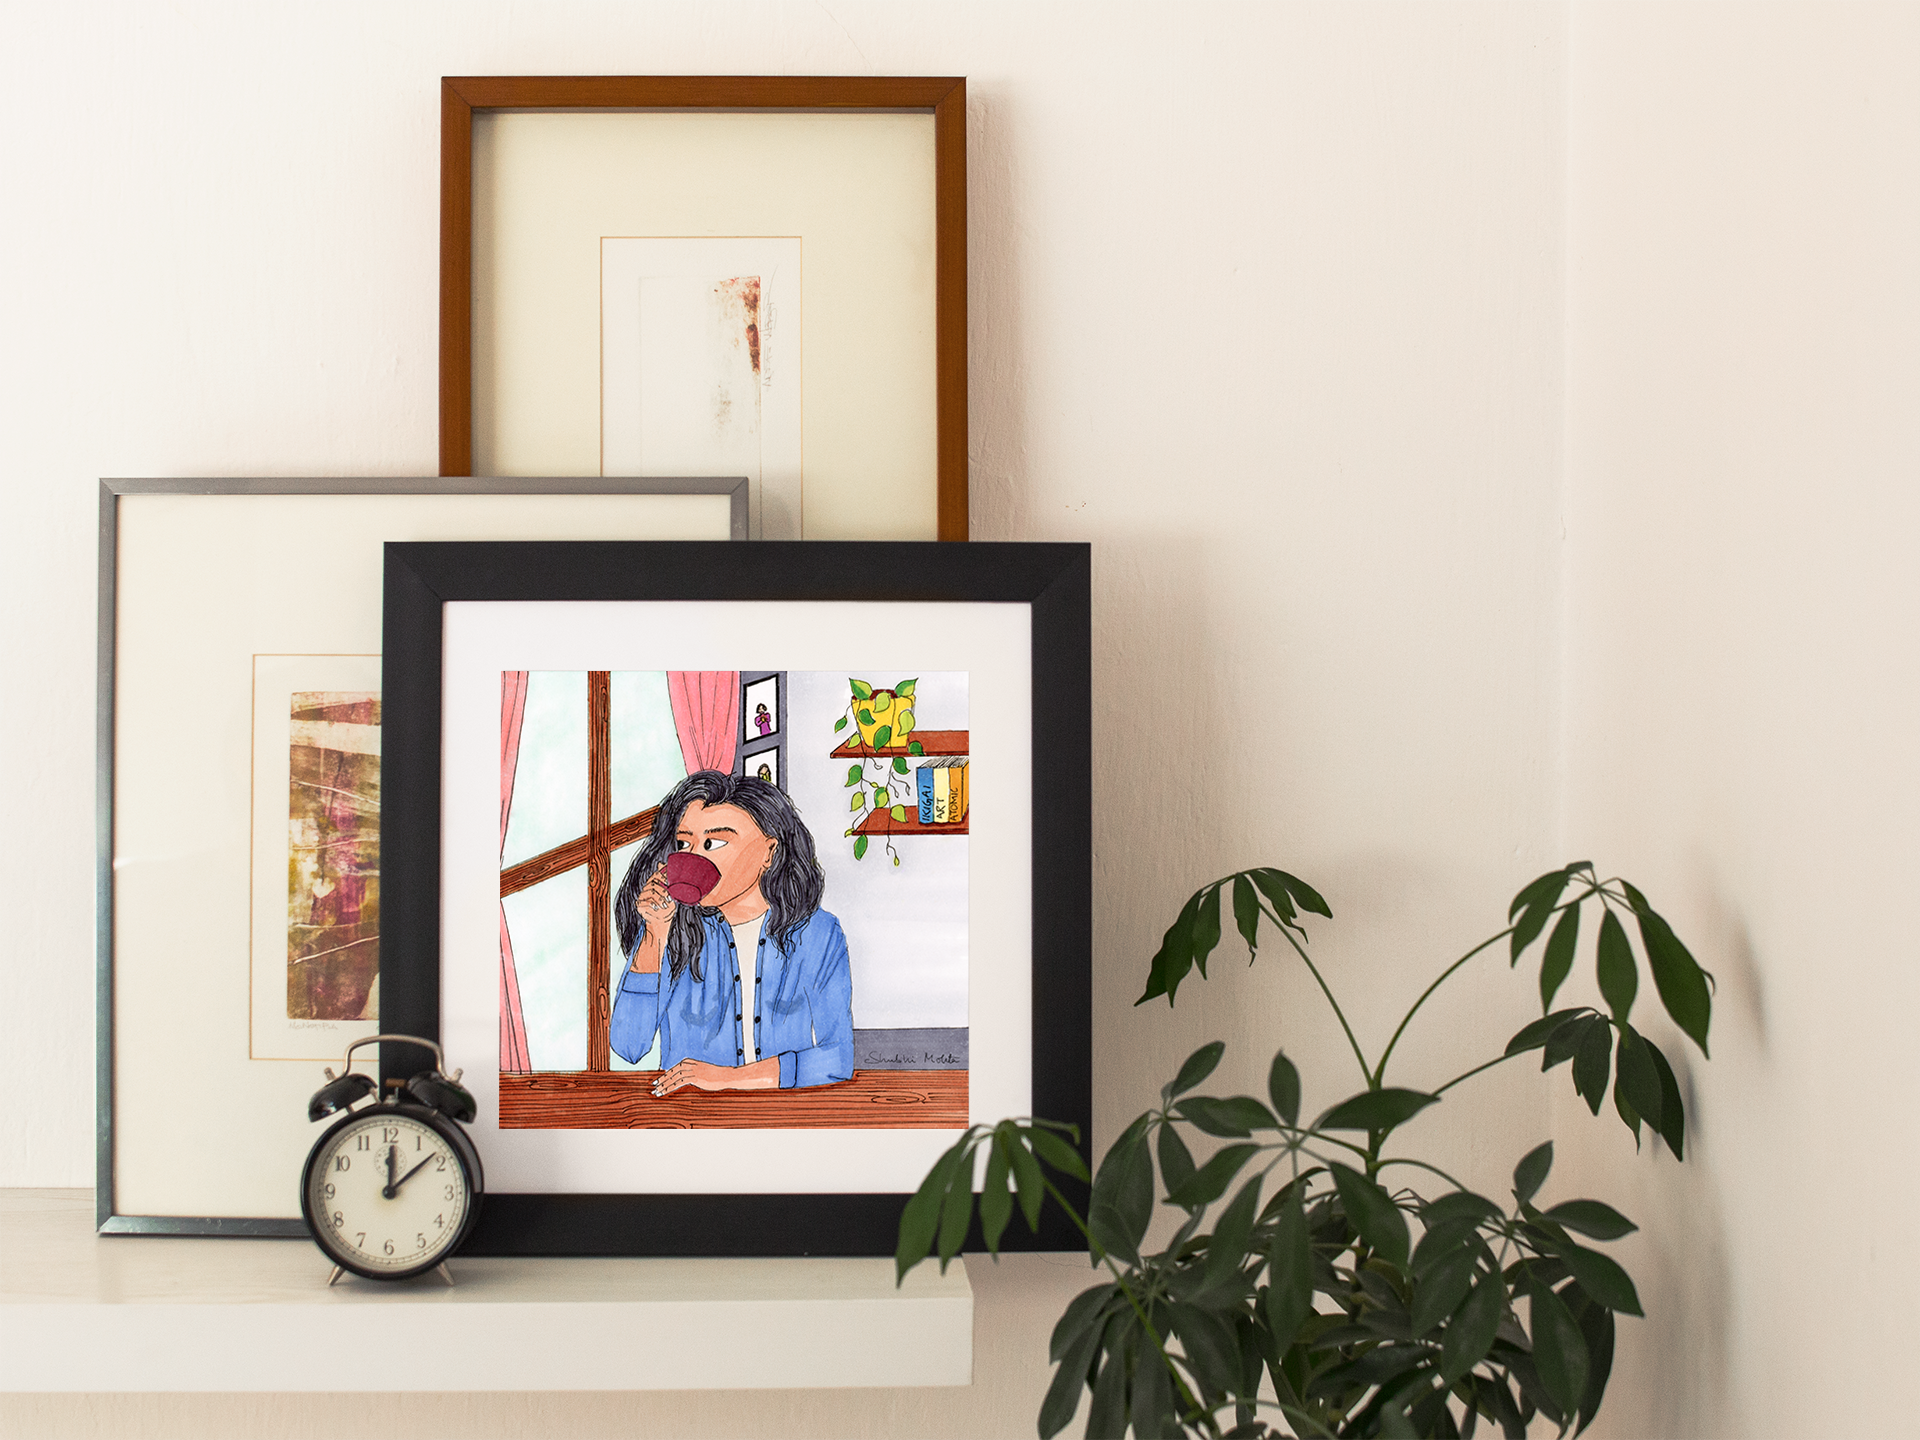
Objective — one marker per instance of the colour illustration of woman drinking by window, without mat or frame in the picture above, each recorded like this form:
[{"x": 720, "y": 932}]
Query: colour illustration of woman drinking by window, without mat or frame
[{"x": 734, "y": 844}]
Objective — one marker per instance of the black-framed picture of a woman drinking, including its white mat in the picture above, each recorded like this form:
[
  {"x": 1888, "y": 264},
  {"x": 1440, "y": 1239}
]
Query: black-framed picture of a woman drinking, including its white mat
[{"x": 683, "y": 873}]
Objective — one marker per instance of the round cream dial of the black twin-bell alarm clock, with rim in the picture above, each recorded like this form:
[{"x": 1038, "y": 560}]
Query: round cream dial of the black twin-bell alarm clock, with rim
[{"x": 387, "y": 1193}]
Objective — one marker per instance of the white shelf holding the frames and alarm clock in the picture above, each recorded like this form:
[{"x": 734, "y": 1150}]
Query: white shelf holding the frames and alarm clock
[{"x": 147, "y": 1314}]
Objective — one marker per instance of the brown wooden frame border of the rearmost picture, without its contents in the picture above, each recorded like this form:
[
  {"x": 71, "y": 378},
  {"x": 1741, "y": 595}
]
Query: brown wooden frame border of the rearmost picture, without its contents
[{"x": 468, "y": 99}]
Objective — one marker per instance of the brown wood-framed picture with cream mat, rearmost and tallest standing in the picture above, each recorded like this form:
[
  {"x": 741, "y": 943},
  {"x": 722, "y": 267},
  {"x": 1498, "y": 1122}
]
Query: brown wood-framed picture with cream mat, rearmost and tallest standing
[{"x": 713, "y": 276}]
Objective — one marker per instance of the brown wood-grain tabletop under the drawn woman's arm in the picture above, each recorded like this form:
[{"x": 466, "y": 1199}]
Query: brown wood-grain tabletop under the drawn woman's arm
[{"x": 873, "y": 1099}]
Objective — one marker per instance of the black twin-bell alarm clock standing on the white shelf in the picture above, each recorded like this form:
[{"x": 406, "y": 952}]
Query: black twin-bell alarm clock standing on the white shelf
[{"x": 395, "y": 1188}]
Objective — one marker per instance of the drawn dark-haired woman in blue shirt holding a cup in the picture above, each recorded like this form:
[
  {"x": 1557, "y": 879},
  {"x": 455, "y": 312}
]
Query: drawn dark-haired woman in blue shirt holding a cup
[{"x": 748, "y": 990}]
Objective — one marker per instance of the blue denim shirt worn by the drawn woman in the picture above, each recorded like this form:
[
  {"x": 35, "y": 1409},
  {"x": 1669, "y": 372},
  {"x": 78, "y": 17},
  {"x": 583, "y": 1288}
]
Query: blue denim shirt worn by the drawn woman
[{"x": 802, "y": 996}]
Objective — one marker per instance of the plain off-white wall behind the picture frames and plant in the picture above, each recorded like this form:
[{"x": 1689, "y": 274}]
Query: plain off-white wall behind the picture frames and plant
[{"x": 1270, "y": 302}]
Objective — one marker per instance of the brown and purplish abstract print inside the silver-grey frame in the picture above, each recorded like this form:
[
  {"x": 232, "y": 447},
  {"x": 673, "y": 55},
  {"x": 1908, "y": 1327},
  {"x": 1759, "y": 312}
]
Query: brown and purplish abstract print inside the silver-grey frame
[{"x": 333, "y": 865}]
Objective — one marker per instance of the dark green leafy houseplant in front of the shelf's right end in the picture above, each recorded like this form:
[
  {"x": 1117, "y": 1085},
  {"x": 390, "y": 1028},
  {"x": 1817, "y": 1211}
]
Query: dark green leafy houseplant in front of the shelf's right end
[{"x": 1318, "y": 1284}]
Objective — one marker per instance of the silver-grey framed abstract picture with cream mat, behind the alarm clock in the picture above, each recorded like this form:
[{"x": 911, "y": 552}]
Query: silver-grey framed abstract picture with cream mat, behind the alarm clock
[{"x": 239, "y": 805}]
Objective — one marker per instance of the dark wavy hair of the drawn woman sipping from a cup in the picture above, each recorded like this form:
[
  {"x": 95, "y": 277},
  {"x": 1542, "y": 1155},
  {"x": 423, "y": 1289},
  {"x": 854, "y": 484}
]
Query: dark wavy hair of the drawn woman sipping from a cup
[{"x": 792, "y": 884}]
